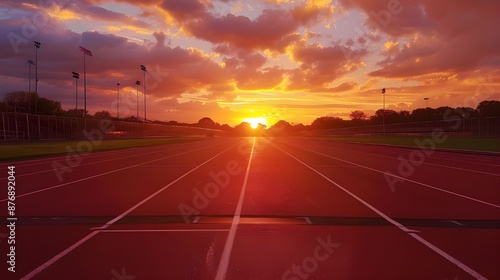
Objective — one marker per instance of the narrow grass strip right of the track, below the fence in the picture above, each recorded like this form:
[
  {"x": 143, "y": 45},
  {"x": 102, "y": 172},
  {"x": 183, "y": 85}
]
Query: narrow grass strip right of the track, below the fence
[{"x": 490, "y": 144}]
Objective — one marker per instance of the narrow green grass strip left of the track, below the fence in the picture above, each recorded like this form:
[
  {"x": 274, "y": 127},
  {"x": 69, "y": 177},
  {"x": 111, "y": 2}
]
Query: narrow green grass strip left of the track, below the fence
[{"x": 24, "y": 150}]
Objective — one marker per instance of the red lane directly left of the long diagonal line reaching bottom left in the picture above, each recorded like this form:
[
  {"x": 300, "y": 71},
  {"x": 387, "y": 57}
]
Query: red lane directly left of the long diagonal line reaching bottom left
[{"x": 103, "y": 198}]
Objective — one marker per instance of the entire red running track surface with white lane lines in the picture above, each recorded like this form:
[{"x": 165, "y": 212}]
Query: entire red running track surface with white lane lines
[{"x": 285, "y": 208}]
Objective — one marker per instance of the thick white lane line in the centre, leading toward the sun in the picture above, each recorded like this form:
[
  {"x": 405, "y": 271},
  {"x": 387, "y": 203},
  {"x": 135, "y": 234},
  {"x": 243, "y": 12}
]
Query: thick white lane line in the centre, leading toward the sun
[{"x": 228, "y": 247}]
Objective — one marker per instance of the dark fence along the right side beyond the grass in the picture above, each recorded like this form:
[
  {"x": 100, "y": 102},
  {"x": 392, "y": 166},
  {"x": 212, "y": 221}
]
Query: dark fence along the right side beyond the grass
[{"x": 460, "y": 127}]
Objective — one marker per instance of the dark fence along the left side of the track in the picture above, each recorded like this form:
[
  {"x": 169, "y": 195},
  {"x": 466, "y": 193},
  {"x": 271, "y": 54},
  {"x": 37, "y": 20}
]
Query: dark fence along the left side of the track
[{"x": 22, "y": 126}]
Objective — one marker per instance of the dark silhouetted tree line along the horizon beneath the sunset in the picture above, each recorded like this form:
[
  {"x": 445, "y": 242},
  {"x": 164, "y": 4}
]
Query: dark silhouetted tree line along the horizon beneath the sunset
[{"x": 21, "y": 101}]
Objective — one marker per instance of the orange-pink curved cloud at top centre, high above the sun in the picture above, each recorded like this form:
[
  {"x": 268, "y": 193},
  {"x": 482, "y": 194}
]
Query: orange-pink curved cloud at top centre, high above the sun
[{"x": 273, "y": 29}]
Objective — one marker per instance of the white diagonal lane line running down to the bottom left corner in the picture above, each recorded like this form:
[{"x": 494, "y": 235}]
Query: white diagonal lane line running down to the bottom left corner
[{"x": 105, "y": 226}]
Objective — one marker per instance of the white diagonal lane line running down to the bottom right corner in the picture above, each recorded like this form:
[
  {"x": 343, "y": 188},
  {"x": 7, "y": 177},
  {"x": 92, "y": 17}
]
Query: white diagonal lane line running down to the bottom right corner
[{"x": 411, "y": 232}]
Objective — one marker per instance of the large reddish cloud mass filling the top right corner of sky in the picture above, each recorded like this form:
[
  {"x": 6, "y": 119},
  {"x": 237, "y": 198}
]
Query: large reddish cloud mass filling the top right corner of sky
[{"x": 434, "y": 36}]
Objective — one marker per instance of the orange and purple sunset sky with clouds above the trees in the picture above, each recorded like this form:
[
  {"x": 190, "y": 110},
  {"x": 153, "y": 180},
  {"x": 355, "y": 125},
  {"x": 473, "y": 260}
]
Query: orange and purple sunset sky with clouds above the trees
[{"x": 272, "y": 59}]
